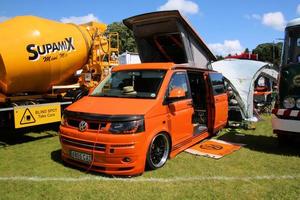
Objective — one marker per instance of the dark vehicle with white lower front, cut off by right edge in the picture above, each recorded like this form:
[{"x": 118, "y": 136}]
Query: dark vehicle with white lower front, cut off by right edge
[{"x": 286, "y": 114}]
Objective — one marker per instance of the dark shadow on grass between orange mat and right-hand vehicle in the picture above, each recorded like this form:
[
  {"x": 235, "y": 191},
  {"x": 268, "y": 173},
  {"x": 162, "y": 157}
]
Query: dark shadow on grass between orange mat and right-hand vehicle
[{"x": 262, "y": 143}]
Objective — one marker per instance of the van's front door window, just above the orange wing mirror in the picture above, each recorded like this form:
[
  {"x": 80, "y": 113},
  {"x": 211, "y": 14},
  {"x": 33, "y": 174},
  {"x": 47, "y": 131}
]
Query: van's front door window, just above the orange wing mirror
[{"x": 179, "y": 80}]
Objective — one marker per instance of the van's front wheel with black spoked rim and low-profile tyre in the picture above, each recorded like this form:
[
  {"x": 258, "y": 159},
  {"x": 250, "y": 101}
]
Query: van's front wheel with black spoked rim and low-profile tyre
[{"x": 158, "y": 151}]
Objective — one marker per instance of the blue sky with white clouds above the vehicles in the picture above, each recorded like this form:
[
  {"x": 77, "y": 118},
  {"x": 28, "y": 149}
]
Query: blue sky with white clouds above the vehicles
[{"x": 227, "y": 26}]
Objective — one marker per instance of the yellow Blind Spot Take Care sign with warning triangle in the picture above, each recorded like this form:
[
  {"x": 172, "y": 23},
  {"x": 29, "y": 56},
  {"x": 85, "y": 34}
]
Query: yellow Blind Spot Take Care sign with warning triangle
[{"x": 32, "y": 115}]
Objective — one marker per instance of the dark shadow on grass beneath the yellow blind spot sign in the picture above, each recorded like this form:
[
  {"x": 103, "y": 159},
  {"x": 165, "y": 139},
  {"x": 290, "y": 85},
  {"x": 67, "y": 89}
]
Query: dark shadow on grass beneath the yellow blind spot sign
[{"x": 10, "y": 137}]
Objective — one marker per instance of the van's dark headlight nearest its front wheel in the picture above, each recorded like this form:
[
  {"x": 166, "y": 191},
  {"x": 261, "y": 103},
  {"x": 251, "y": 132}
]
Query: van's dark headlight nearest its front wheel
[{"x": 130, "y": 127}]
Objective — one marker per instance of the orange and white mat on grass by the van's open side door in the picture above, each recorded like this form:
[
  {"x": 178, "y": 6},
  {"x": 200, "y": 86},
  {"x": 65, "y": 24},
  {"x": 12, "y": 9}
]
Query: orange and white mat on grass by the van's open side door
[{"x": 214, "y": 148}]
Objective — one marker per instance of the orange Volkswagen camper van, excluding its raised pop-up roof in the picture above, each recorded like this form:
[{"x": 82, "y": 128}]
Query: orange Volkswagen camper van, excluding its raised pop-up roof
[{"x": 141, "y": 115}]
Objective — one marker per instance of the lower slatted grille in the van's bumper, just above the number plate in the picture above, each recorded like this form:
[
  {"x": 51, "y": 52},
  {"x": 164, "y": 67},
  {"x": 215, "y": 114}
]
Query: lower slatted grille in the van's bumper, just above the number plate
[{"x": 83, "y": 144}]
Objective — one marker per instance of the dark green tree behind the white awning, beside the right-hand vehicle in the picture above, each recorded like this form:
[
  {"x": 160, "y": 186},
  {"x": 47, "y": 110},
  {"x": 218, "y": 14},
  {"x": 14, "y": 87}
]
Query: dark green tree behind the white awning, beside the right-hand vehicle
[{"x": 269, "y": 52}]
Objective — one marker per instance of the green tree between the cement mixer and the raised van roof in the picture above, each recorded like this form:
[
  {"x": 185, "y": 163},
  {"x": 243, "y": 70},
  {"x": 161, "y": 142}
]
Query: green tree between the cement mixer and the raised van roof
[{"x": 126, "y": 38}]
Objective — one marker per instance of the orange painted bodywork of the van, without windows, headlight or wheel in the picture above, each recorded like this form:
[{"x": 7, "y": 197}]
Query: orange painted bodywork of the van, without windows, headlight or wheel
[{"x": 125, "y": 154}]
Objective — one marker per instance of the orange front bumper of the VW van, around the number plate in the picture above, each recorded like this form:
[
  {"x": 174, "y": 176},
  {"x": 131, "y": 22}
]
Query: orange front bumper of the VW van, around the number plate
[{"x": 112, "y": 154}]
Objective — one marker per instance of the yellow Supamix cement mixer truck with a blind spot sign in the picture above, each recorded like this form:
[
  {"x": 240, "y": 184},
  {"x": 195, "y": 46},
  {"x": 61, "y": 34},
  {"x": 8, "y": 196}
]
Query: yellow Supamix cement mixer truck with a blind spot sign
[{"x": 46, "y": 65}]
